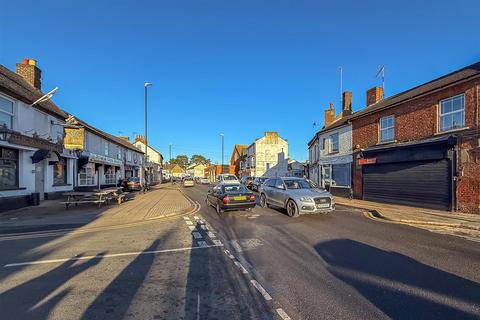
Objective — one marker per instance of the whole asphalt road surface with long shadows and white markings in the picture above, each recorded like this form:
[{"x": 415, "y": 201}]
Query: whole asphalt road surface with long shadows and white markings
[{"x": 241, "y": 265}]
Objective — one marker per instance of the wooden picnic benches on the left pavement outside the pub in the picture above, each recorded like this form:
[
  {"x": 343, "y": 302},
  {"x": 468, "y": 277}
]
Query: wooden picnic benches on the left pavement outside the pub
[{"x": 97, "y": 196}]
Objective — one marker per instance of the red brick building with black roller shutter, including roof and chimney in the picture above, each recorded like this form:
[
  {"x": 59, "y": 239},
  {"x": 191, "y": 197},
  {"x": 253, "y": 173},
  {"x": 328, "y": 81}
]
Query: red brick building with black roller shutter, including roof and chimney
[{"x": 422, "y": 146}]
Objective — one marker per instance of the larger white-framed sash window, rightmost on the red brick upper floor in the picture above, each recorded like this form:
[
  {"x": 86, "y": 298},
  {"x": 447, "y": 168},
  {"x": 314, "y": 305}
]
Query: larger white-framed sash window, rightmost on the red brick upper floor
[{"x": 452, "y": 113}]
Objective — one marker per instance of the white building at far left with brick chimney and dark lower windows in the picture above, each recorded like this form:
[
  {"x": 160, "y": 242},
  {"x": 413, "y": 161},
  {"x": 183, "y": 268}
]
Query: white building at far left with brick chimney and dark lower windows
[{"x": 33, "y": 162}]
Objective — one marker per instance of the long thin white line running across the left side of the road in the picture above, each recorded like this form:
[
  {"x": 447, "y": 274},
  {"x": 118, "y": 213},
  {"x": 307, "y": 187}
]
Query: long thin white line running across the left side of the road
[{"x": 99, "y": 256}]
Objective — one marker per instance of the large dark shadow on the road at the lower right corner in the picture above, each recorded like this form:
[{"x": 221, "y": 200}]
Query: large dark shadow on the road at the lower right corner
[{"x": 398, "y": 285}]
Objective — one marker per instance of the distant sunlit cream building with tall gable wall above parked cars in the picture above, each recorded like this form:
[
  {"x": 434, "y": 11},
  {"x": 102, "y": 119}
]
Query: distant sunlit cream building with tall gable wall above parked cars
[{"x": 262, "y": 154}]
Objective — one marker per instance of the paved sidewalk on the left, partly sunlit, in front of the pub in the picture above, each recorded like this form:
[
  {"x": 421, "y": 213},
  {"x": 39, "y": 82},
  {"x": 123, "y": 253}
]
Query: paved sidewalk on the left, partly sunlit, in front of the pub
[{"x": 162, "y": 201}]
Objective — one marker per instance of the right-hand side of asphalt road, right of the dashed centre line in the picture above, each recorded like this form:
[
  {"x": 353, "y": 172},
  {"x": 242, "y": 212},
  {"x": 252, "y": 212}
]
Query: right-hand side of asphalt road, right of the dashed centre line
[{"x": 343, "y": 265}]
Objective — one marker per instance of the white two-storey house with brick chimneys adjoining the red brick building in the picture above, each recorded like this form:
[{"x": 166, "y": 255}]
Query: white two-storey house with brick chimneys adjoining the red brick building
[{"x": 330, "y": 150}]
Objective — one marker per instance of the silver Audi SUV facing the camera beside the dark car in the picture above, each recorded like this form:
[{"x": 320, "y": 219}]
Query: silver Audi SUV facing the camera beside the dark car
[{"x": 296, "y": 195}]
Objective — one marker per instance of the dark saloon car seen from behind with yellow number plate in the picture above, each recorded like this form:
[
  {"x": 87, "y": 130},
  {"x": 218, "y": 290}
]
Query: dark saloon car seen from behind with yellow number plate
[{"x": 230, "y": 197}]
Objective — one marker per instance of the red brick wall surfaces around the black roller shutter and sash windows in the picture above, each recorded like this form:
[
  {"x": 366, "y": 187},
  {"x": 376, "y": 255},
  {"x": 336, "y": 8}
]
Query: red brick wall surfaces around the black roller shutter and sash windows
[{"x": 417, "y": 119}]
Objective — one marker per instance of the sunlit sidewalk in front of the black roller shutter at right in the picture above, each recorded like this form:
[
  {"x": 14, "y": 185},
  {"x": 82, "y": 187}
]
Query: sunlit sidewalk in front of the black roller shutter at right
[{"x": 459, "y": 224}]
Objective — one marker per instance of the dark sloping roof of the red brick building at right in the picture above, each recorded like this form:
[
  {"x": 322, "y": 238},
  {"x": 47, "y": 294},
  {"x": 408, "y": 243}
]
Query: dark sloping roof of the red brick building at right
[{"x": 465, "y": 73}]
